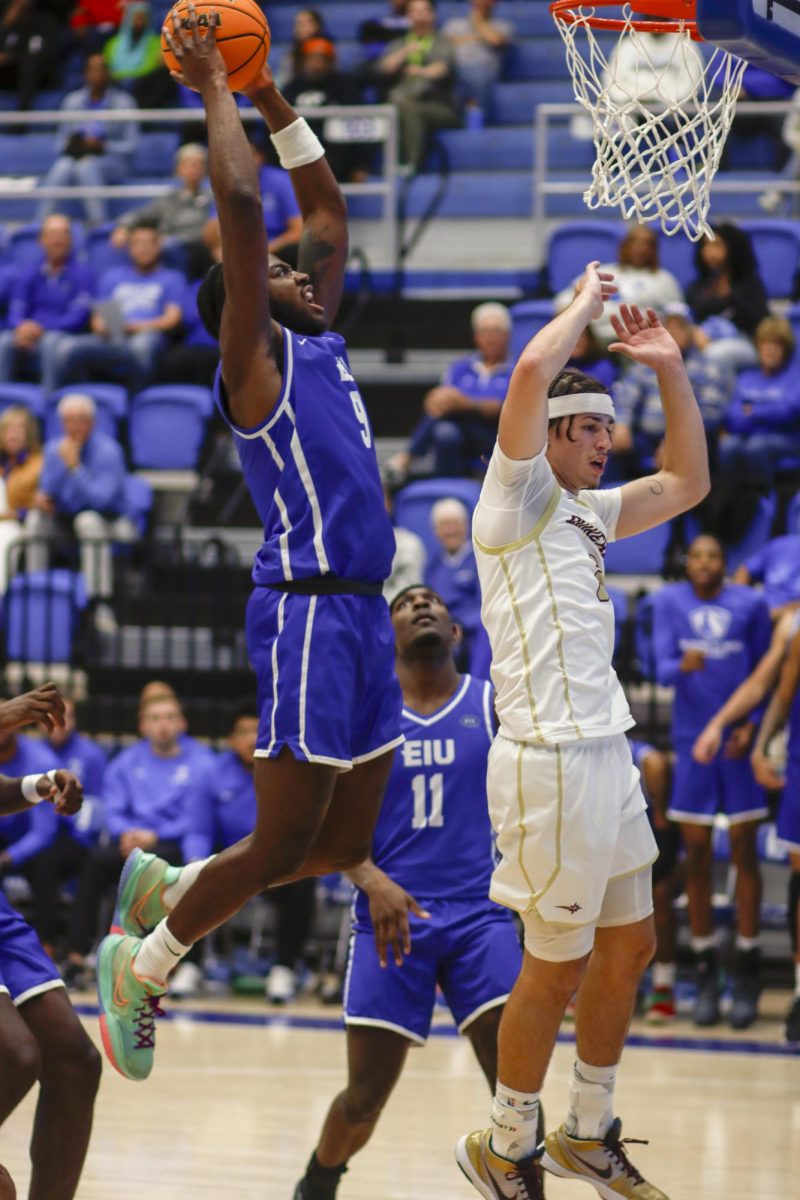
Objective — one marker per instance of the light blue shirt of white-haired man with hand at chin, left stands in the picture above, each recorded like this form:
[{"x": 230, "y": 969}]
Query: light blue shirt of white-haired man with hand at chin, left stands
[{"x": 98, "y": 484}]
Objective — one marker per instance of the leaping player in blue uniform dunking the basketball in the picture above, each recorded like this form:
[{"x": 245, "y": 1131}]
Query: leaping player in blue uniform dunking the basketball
[{"x": 318, "y": 628}]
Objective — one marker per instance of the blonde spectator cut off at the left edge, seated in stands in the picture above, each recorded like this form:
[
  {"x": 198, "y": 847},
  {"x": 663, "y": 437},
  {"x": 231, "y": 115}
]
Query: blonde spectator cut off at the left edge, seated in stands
[{"x": 21, "y": 466}]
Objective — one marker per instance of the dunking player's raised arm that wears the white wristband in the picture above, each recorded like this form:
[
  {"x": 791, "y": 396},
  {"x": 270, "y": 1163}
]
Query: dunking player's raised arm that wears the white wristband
[{"x": 324, "y": 239}]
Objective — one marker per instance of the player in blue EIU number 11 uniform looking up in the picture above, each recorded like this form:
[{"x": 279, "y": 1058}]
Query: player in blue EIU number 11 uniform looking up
[{"x": 422, "y": 914}]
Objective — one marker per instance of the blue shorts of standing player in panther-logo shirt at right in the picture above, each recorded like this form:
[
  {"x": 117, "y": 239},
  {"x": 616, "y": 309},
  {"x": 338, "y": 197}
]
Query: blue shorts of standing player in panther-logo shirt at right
[{"x": 726, "y": 785}]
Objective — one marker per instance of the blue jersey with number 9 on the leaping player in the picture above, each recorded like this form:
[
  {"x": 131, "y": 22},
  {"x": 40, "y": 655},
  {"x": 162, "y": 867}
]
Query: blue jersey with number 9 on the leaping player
[{"x": 312, "y": 471}]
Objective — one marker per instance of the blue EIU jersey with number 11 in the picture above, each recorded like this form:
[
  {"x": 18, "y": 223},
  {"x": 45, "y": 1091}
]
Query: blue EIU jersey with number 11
[{"x": 434, "y": 836}]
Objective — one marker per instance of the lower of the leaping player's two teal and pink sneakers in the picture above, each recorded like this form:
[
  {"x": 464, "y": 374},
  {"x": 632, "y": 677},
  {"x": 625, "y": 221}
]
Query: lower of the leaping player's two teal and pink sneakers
[{"x": 129, "y": 1007}]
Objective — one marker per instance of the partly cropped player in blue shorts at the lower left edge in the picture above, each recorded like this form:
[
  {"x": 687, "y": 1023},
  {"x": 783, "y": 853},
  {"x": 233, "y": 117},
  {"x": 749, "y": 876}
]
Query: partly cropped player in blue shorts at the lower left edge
[{"x": 41, "y": 1039}]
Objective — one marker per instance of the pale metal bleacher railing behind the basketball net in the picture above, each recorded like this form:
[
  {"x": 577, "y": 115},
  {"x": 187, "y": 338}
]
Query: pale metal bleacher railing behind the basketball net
[{"x": 549, "y": 117}]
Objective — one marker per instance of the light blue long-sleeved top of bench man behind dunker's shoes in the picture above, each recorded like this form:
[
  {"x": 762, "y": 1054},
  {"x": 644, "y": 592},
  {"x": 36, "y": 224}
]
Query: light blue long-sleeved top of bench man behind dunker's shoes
[{"x": 147, "y": 791}]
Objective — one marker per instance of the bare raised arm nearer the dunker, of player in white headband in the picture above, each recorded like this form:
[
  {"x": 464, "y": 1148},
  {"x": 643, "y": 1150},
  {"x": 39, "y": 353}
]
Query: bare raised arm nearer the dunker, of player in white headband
[{"x": 522, "y": 433}]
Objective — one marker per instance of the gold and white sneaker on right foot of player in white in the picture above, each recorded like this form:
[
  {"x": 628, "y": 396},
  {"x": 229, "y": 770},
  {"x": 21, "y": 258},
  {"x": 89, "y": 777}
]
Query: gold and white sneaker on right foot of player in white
[{"x": 600, "y": 1162}]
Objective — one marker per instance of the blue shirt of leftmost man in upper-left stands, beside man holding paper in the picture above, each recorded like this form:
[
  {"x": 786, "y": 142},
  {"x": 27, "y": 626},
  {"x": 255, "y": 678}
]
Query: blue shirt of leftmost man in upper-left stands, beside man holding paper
[{"x": 58, "y": 301}]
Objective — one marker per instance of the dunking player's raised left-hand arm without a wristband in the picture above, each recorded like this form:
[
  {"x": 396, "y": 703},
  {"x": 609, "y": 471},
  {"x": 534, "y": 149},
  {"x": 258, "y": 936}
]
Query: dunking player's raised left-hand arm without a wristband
[{"x": 246, "y": 337}]
